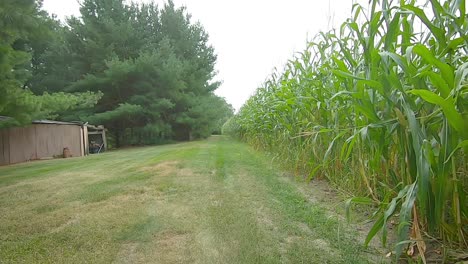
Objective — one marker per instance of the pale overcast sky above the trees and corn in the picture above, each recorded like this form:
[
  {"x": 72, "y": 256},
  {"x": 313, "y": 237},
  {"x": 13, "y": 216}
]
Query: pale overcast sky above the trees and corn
[{"x": 250, "y": 37}]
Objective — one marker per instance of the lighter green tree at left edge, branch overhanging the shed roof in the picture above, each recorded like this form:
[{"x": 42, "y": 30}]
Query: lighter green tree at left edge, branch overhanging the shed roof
[{"x": 23, "y": 31}]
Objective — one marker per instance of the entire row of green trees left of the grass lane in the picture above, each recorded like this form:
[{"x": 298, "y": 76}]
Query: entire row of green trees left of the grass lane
[{"x": 145, "y": 72}]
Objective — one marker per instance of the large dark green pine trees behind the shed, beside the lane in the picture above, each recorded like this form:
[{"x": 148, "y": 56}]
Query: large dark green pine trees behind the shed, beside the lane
[{"x": 153, "y": 66}]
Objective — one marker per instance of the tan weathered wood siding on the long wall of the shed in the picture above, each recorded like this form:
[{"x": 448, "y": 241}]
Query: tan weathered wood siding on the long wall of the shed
[{"x": 39, "y": 141}]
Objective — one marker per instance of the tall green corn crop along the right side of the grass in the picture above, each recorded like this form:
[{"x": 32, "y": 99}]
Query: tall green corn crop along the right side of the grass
[{"x": 379, "y": 108}]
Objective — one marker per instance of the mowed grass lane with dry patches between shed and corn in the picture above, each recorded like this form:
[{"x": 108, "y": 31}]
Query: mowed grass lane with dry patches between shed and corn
[{"x": 212, "y": 201}]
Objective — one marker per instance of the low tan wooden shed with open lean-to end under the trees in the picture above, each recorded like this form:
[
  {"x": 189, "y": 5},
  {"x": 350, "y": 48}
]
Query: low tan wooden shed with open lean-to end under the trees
[{"x": 45, "y": 139}]
